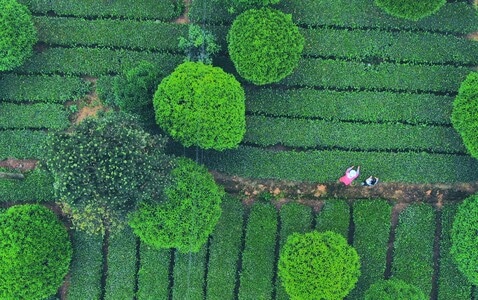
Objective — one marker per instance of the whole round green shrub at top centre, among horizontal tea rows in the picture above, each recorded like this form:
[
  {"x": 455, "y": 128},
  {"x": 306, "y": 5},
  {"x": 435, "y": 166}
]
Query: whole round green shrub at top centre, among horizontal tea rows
[{"x": 265, "y": 45}]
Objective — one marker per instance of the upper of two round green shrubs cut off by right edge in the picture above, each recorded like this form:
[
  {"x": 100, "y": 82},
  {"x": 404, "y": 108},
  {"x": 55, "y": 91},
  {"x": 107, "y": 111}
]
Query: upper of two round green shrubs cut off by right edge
[{"x": 465, "y": 113}]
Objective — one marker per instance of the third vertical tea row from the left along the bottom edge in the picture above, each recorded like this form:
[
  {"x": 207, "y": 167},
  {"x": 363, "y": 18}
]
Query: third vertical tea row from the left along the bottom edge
[{"x": 153, "y": 275}]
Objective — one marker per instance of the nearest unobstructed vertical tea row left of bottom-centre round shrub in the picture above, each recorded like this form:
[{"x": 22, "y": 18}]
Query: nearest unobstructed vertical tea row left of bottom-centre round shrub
[{"x": 258, "y": 256}]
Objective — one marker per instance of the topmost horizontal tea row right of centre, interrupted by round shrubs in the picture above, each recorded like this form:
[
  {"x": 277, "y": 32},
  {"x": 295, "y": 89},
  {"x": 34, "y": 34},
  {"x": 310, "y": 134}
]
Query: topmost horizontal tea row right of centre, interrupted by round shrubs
[{"x": 454, "y": 17}]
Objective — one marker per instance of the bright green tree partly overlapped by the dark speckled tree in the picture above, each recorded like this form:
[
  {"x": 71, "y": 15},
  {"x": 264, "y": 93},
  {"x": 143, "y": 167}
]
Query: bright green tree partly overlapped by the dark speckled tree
[{"x": 187, "y": 216}]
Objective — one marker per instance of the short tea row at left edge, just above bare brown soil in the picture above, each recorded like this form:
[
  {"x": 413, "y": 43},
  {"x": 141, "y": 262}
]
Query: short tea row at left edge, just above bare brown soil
[{"x": 22, "y": 144}]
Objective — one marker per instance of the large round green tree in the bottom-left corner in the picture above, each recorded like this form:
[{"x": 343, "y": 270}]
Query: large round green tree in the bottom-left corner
[{"x": 35, "y": 252}]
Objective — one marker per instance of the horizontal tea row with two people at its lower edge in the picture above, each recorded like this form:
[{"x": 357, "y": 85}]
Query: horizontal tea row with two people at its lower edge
[{"x": 328, "y": 166}]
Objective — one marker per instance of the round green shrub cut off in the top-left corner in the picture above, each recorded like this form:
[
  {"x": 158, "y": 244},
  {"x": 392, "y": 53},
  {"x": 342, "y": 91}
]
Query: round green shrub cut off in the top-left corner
[{"x": 17, "y": 34}]
